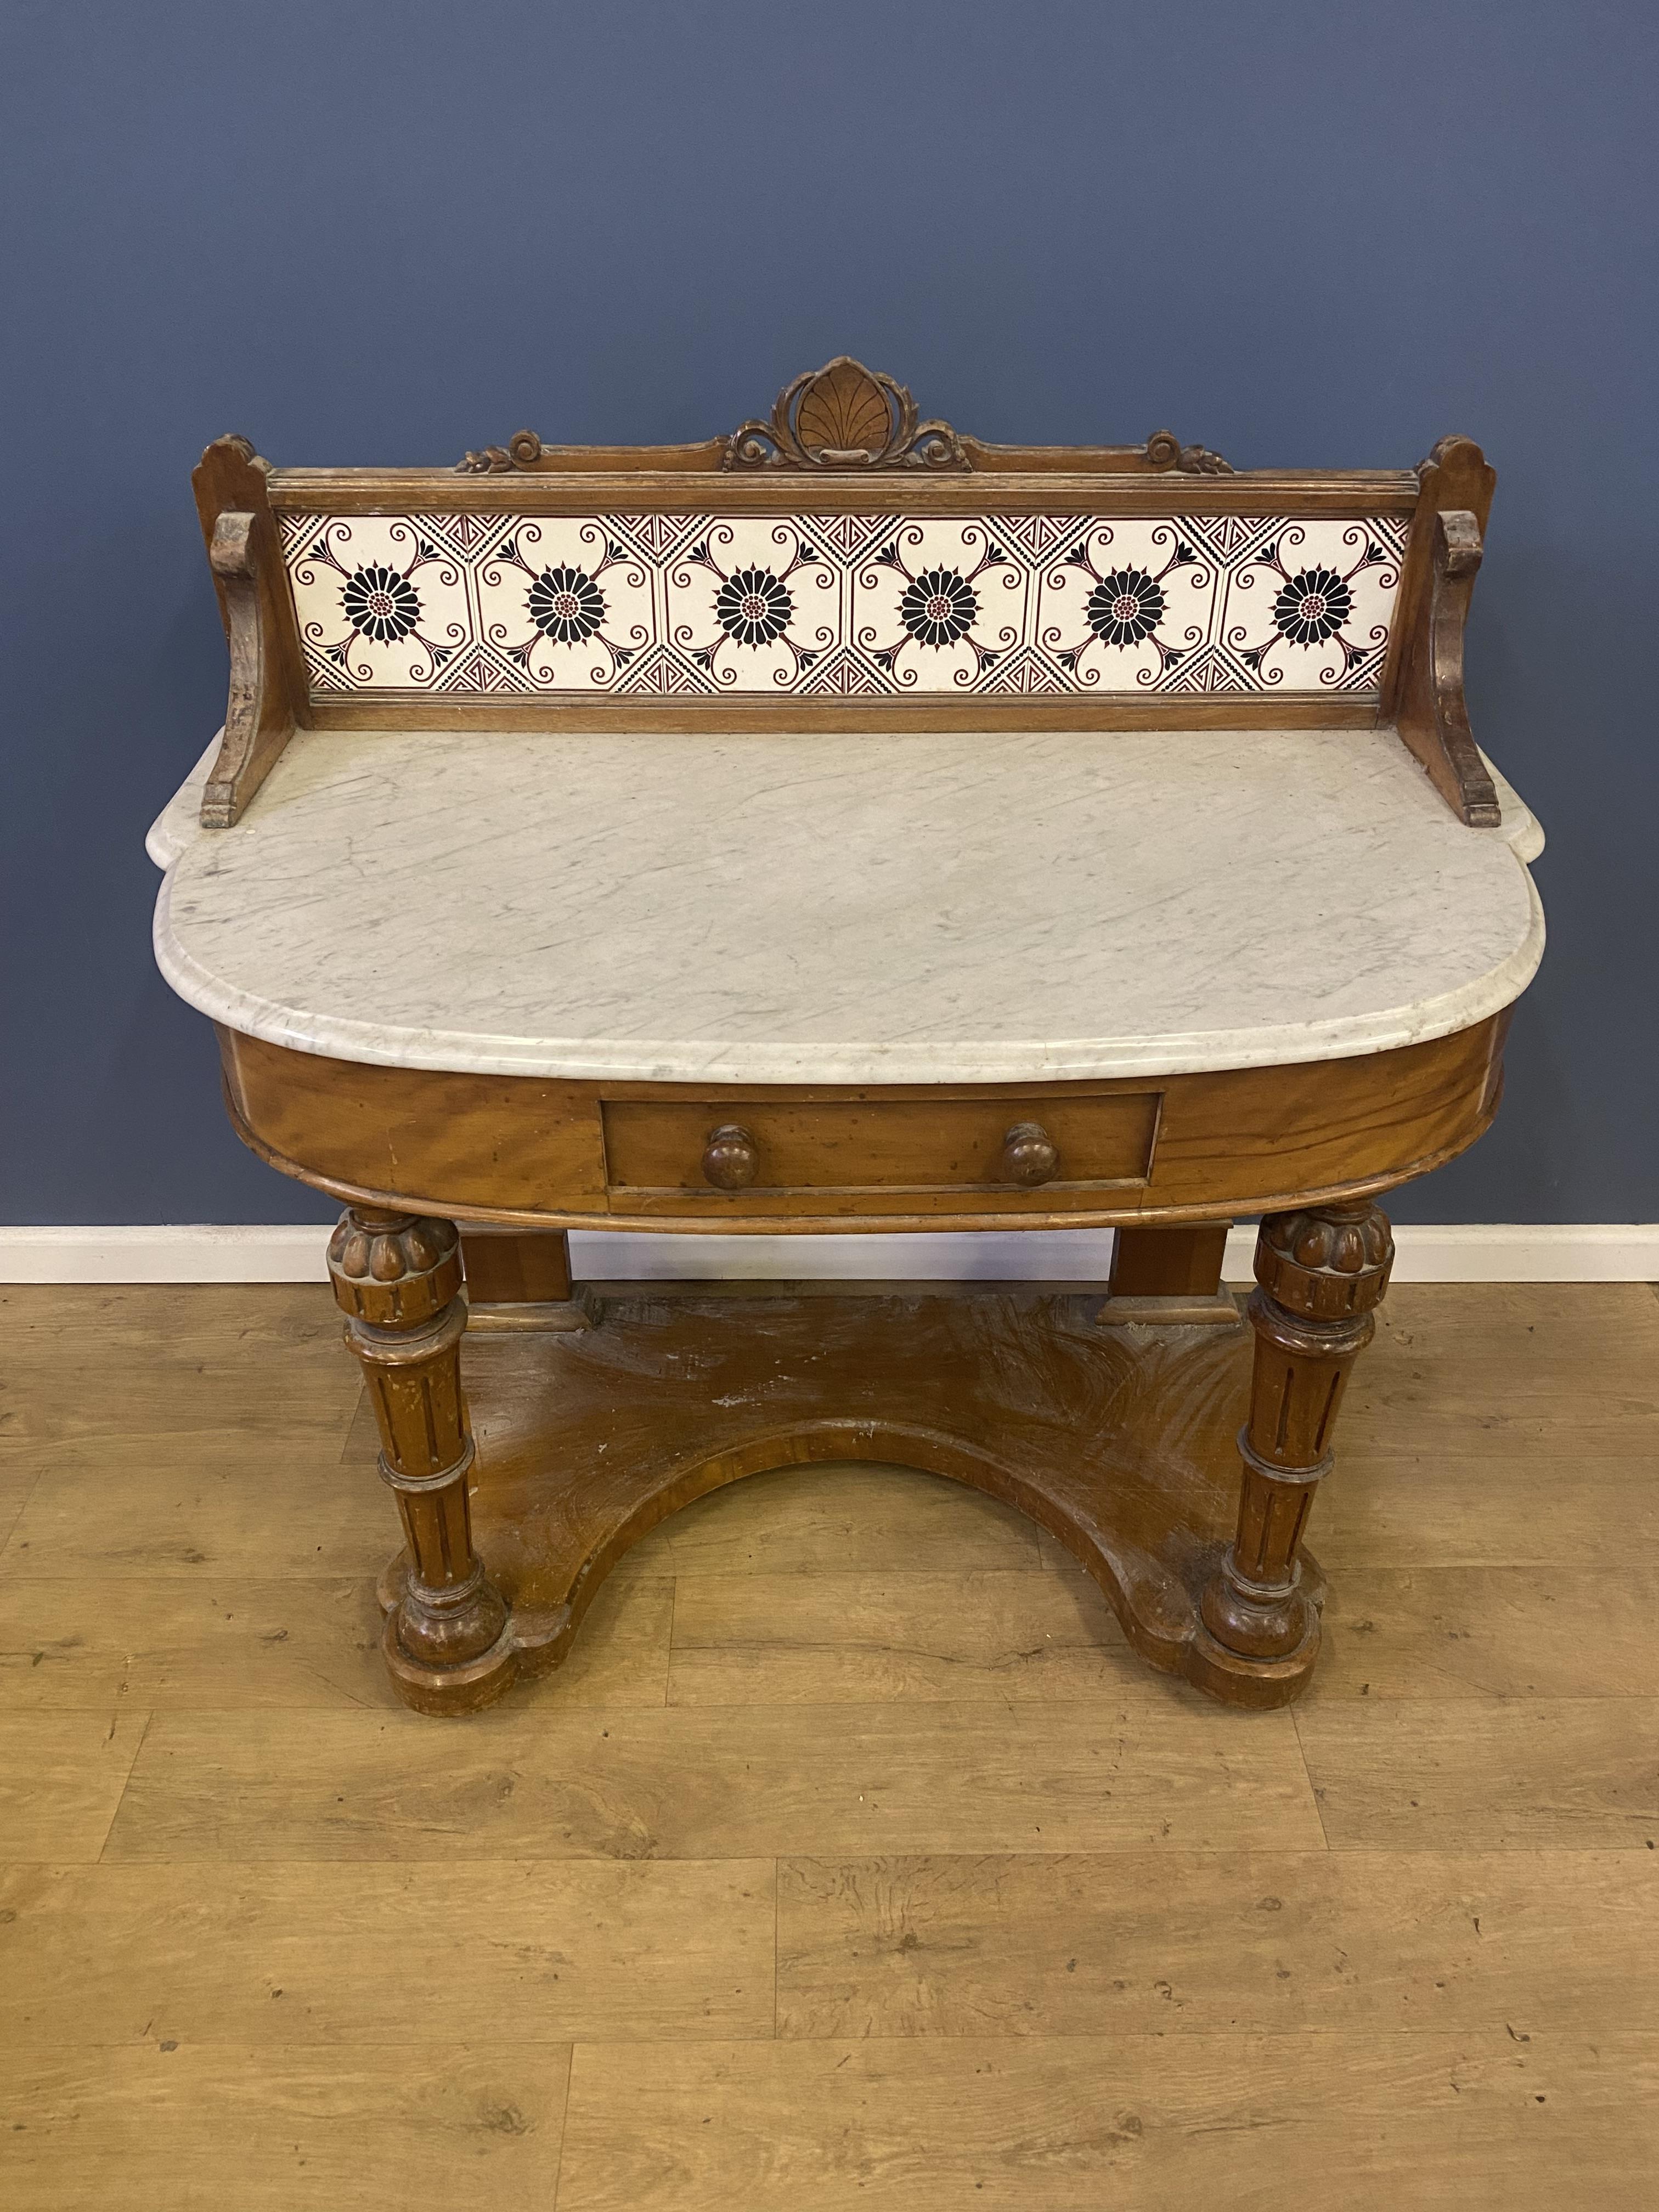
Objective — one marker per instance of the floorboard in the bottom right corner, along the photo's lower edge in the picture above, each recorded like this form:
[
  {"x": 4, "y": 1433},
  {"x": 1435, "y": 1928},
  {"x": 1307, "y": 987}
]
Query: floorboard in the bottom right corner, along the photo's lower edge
[{"x": 1147, "y": 2122}]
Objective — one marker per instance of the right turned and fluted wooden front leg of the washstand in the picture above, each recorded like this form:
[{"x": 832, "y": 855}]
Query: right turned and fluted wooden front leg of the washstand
[{"x": 1322, "y": 1275}]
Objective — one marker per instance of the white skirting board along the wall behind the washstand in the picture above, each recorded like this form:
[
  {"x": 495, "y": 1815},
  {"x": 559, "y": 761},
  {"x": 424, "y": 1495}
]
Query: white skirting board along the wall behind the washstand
[{"x": 280, "y": 1253}]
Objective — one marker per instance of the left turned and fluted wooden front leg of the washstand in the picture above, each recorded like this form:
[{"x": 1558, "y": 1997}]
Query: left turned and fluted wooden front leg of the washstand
[{"x": 397, "y": 1280}]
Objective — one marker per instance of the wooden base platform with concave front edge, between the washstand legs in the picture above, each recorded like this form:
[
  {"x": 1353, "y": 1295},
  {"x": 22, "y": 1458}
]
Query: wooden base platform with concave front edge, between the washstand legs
[{"x": 1114, "y": 1430}]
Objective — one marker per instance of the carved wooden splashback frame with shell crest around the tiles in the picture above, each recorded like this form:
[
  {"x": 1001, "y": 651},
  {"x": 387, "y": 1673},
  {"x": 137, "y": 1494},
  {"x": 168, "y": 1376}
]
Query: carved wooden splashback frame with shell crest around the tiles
[{"x": 857, "y": 441}]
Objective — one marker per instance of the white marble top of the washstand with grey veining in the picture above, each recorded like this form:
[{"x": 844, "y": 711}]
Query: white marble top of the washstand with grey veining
[{"x": 846, "y": 908}]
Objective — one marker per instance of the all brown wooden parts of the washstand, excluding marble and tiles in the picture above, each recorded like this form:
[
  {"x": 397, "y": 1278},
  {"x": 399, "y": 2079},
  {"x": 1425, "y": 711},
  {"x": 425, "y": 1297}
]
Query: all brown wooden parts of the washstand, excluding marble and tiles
[{"x": 1114, "y": 1421}]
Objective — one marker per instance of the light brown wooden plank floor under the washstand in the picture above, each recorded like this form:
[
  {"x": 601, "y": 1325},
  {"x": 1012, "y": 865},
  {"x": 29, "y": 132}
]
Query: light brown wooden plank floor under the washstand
[{"x": 853, "y": 1859}]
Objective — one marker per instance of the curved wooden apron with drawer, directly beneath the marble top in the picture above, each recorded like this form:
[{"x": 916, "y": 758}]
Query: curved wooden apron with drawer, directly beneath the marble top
[{"x": 550, "y": 1154}]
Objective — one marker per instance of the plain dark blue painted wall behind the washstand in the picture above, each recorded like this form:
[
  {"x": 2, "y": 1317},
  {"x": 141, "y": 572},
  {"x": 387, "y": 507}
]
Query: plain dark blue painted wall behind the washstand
[{"x": 384, "y": 233}]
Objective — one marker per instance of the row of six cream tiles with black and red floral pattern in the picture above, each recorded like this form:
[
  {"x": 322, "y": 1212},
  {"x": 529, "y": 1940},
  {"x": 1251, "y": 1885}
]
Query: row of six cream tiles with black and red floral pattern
[{"x": 844, "y": 605}]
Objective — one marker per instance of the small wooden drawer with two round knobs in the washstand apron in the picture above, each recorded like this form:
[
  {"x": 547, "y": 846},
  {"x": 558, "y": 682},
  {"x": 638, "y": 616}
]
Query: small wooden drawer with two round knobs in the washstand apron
[{"x": 877, "y": 1147}]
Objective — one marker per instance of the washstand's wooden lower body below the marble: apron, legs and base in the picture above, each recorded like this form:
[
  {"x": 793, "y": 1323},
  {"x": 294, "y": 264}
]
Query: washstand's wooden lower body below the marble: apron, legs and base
[{"x": 1112, "y": 1432}]
